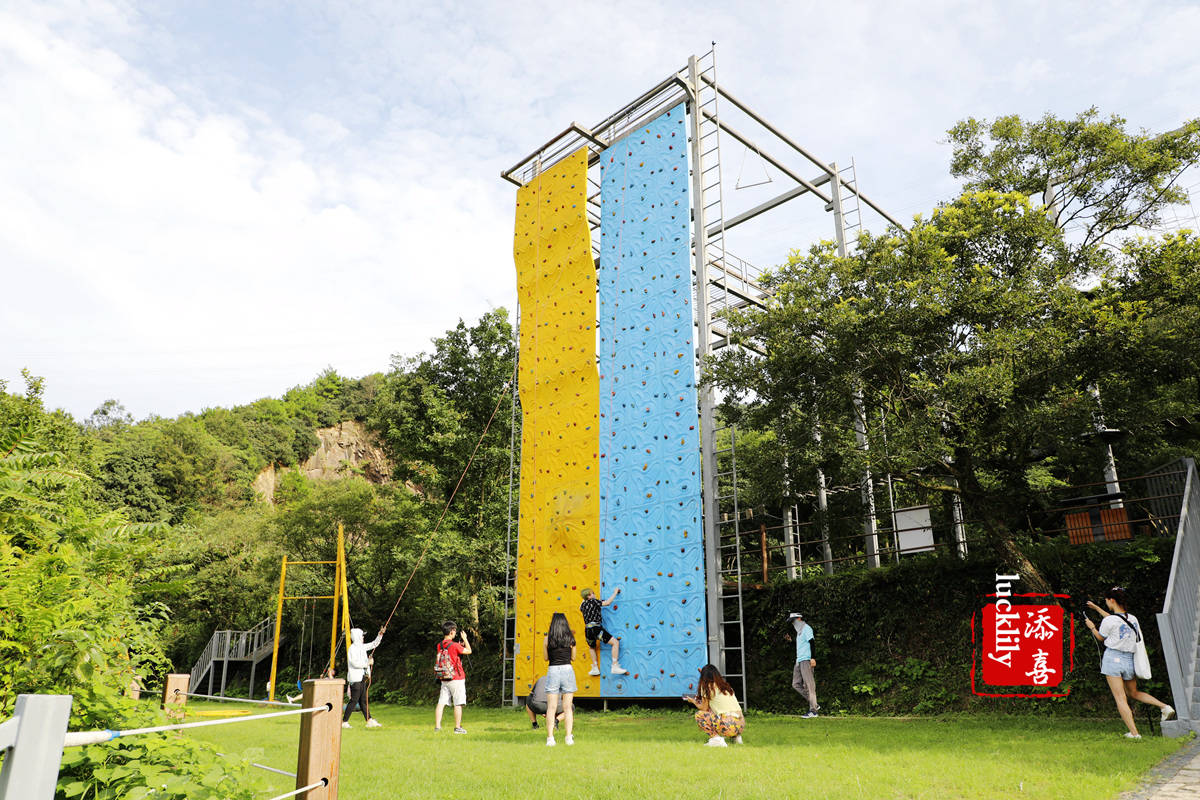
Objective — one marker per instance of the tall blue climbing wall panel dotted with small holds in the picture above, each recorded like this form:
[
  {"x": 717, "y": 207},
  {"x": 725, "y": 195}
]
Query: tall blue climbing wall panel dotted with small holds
[{"x": 651, "y": 536}]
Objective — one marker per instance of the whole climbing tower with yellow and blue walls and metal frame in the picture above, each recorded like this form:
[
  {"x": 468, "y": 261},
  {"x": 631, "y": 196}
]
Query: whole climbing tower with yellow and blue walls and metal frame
[{"x": 623, "y": 274}]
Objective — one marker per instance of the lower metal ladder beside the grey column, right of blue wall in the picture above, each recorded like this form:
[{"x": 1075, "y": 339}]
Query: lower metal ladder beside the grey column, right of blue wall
[{"x": 730, "y": 570}]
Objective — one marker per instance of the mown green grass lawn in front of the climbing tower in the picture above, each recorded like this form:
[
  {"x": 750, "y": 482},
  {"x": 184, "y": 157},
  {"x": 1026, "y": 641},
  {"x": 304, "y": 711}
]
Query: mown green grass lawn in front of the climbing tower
[{"x": 659, "y": 755}]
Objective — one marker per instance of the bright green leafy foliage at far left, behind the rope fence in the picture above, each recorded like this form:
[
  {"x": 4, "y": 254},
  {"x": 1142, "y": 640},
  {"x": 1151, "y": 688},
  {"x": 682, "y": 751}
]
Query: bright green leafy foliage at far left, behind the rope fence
[{"x": 70, "y": 623}]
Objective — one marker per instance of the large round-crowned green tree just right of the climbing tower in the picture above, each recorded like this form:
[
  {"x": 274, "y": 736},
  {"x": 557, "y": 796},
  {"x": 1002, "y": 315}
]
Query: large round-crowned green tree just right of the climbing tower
[{"x": 968, "y": 333}]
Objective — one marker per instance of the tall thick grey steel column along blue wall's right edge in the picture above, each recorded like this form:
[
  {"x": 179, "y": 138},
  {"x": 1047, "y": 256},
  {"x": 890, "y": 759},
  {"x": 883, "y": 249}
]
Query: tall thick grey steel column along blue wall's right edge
[{"x": 707, "y": 402}]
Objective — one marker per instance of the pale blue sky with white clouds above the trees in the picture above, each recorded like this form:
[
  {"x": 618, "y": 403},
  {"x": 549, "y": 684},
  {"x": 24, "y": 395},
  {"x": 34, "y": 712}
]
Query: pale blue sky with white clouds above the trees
[{"x": 208, "y": 203}]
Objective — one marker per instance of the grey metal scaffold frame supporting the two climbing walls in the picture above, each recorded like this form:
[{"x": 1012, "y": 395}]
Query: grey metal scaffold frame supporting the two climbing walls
[{"x": 722, "y": 281}]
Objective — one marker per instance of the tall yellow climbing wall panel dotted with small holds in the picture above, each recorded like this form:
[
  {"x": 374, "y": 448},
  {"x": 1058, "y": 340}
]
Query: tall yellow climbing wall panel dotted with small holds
[{"x": 559, "y": 546}]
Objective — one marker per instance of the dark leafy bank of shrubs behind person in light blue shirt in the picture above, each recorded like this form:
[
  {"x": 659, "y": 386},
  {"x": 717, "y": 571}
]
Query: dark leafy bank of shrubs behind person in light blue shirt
[{"x": 898, "y": 640}]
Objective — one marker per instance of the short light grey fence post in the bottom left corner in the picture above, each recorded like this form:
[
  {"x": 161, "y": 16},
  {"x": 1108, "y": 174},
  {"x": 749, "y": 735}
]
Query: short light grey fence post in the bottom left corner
[{"x": 34, "y": 738}]
